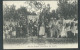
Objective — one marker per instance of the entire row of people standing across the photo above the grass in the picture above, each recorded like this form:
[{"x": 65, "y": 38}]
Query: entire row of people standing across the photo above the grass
[{"x": 55, "y": 28}]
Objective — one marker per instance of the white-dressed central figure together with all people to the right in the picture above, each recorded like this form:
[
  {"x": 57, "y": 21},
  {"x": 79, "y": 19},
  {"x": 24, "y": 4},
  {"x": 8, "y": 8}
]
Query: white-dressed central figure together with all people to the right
[{"x": 59, "y": 28}]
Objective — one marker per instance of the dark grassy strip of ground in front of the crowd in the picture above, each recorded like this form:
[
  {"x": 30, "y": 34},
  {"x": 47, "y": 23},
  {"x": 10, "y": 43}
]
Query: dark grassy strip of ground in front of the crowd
[{"x": 39, "y": 40}]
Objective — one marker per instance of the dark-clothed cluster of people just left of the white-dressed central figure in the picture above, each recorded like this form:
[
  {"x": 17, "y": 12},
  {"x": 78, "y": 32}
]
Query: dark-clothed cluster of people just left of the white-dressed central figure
[{"x": 33, "y": 28}]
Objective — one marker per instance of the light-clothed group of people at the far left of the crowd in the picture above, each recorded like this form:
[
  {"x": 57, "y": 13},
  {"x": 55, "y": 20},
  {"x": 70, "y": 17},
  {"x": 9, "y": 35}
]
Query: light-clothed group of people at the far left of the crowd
[{"x": 9, "y": 31}]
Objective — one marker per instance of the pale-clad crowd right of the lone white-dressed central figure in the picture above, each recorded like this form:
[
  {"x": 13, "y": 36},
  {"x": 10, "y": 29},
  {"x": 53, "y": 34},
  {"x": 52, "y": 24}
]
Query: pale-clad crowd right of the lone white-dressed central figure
[{"x": 64, "y": 28}]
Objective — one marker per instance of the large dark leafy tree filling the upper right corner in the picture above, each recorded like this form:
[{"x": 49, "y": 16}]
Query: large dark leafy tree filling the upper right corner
[{"x": 67, "y": 10}]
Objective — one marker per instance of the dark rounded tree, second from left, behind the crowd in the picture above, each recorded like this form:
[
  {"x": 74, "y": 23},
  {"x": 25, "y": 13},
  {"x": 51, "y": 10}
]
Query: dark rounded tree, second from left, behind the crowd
[{"x": 22, "y": 12}]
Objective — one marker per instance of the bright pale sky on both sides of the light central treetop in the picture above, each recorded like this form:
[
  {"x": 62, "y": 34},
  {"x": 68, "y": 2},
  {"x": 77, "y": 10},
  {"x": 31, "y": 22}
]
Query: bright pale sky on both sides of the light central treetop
[{"x": 18, "y": 4}]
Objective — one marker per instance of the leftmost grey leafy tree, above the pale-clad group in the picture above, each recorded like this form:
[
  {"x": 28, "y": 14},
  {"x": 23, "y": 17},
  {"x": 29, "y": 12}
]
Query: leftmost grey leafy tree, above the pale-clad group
[{"x": 9, "y": 13}]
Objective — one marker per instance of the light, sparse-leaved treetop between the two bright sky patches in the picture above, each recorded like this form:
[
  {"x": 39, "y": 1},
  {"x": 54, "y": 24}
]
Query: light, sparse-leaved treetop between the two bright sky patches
[{"x": 35, "y": 6}]
